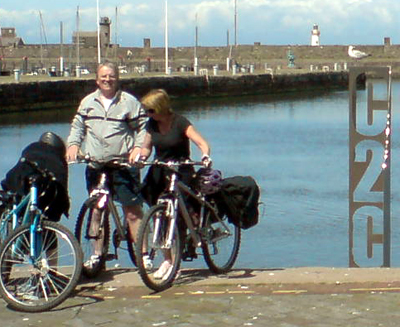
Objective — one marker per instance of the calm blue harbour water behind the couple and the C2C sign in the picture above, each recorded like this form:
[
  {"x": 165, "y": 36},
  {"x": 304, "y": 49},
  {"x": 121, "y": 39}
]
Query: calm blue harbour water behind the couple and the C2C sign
[{"x": 295, "y": 146}]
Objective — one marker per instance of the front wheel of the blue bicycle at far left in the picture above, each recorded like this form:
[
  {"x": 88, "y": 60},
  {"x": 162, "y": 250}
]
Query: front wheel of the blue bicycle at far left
[{"x": 35, "y": 284}]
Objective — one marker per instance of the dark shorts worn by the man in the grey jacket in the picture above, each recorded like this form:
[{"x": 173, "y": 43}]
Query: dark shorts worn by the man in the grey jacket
[{"x": 124, "y": 184}]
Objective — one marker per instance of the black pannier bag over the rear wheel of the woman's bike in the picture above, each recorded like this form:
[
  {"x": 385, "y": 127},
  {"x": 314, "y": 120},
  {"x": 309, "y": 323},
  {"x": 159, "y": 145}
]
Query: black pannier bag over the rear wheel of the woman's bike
[{"x": 238, "y": 199}]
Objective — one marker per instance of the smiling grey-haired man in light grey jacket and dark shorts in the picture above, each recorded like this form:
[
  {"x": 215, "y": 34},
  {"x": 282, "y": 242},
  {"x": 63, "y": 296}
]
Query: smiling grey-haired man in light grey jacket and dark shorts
[{"x": 111, "y": 124}]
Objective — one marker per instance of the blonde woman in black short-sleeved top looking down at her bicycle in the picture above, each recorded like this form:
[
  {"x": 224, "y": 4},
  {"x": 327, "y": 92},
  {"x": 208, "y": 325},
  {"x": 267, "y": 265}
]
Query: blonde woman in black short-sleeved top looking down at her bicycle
[{"x": 170, "y": 135}]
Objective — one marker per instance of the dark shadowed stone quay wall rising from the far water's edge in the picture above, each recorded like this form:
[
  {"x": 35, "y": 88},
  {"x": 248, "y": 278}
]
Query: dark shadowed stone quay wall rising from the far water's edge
[{"x": 22, "y": 97}]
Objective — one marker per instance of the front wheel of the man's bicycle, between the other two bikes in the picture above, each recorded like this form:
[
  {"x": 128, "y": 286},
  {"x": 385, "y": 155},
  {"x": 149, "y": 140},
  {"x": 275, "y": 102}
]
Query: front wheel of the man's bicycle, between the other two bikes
[{"x": 87, "y": 238}]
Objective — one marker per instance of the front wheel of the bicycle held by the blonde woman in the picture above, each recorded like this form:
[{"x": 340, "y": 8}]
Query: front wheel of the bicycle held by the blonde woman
[{"x": 152, "y": 238}]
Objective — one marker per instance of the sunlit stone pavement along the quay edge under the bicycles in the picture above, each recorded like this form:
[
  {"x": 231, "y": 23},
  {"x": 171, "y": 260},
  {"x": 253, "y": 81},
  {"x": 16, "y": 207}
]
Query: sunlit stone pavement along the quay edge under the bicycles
[{"x": 245, "y": 297}]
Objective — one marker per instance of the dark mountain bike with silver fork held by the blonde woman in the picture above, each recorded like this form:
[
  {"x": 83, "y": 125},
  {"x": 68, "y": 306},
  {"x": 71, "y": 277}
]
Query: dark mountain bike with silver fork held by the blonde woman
[{"x": 160, "y": 236}]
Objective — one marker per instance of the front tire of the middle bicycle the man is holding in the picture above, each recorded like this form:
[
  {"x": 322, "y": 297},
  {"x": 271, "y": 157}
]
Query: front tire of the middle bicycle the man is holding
[{"x": 82, "y": 228}]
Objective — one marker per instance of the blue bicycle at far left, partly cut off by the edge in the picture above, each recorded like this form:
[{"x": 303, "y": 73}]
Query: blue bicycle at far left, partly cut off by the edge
[{"x": 40, "y": 260}]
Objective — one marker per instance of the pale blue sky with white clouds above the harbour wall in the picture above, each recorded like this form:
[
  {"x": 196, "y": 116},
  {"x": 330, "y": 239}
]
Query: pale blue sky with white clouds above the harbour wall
[{"x": 271, "y": 22}]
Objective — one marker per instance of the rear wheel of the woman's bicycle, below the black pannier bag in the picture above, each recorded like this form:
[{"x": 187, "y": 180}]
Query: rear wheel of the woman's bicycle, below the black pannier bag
[{"x": 220, "y": 246}]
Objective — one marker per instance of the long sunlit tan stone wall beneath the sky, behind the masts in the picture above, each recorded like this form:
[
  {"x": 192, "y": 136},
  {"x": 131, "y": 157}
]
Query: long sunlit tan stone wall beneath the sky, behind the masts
[{"x": 153, "y": 58}]
